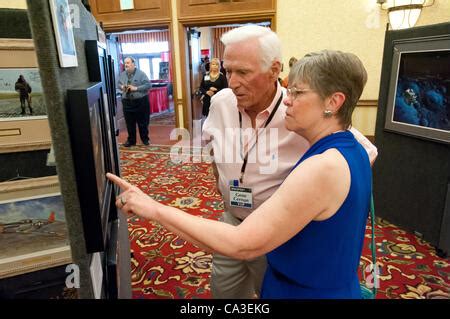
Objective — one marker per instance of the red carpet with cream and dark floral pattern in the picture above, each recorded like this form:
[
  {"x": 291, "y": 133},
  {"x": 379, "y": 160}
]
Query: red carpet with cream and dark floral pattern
[{"x": 165, "y": 266}]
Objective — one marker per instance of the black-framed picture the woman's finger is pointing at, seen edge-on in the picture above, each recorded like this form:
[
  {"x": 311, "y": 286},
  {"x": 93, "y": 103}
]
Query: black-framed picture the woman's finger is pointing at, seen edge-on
[{"x": 89, "y": 126}]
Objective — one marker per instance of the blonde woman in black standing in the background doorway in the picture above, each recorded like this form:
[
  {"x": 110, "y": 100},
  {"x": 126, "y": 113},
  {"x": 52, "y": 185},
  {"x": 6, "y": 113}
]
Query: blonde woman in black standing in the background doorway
[{"x": 212, "y": 82}]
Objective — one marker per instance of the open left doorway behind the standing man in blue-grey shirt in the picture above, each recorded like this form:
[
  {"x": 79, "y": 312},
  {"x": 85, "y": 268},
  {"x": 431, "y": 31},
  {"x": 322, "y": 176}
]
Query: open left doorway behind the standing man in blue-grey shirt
[{"x": 151, "y": 51}]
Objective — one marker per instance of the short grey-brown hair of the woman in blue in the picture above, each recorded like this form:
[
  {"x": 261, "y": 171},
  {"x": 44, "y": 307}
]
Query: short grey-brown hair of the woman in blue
[{"x": 327, "y": 72}]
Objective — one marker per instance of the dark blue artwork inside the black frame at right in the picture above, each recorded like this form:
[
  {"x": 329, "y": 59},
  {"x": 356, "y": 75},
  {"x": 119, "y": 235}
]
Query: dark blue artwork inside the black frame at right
[{"x": 422, "y": 96}]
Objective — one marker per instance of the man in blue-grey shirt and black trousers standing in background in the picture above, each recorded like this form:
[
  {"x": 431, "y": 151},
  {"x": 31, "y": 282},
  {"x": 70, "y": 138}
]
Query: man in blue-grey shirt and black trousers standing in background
[{"x": 134, "y": 85}]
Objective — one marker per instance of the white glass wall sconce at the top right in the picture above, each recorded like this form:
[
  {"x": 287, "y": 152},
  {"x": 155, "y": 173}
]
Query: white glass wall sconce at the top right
[{"x": 403, "y": 14}]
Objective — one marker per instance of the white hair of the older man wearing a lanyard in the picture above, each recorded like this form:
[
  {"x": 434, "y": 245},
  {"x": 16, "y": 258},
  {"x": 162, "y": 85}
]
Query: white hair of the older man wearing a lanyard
[{"x": 269, "y": 43}]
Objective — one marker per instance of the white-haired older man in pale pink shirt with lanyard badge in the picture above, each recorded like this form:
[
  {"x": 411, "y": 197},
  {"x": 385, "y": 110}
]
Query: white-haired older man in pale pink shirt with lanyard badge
[{"x": 252, "y": 103}]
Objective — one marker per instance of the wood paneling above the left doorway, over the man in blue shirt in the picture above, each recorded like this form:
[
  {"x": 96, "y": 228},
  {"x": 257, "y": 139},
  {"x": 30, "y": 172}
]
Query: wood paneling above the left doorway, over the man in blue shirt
[{"x": 146, "y": 13}]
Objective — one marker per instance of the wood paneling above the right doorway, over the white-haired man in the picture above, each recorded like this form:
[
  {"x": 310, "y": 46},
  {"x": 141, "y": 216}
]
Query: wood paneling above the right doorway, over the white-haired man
[{"x": 211, "y": 9}]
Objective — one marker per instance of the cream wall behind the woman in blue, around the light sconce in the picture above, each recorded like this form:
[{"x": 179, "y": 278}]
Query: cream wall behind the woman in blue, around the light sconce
[{"x": 357, "y": 26}]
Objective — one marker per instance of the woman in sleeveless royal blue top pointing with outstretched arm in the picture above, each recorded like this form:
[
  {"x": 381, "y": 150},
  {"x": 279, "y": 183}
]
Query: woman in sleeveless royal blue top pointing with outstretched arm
[{"x": 312, "y": 228}]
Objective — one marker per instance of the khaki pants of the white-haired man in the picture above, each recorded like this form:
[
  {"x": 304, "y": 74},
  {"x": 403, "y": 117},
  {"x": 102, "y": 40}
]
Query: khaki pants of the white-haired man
[{"x": 236, "y": 279}]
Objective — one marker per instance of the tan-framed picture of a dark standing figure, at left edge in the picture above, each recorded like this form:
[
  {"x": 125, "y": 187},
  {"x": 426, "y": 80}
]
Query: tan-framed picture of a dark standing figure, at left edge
[{"x": 21, "y": 132}]
